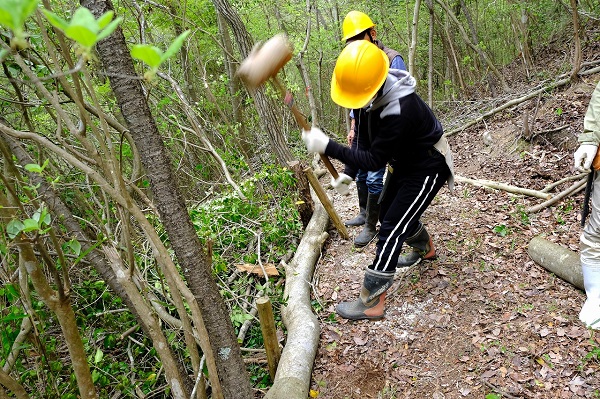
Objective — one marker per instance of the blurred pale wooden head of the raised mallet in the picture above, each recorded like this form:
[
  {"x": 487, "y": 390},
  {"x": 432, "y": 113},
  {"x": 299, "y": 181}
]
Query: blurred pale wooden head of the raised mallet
[{"x": 265, "y": 60}]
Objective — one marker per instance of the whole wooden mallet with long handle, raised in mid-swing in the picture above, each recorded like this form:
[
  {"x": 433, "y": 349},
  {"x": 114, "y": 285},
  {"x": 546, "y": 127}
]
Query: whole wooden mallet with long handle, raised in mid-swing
[{"x": 263, "y": 63}]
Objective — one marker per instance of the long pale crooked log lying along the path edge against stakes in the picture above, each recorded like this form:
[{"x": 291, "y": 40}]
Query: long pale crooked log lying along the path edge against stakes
[{"x": 292, "y": 379}]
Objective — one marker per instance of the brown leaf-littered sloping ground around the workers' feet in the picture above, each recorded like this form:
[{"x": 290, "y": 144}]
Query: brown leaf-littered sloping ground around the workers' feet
[{"x": 483, "y": 318}]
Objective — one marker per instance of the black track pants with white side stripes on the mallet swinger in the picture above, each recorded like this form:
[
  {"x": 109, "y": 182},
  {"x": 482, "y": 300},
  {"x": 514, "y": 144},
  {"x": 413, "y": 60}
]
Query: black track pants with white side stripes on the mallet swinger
[{"x": 405, "y": 199}]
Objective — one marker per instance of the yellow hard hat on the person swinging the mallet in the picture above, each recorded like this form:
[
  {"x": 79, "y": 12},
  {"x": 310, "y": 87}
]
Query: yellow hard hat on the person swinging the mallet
[{"x": 360, "y": 70}]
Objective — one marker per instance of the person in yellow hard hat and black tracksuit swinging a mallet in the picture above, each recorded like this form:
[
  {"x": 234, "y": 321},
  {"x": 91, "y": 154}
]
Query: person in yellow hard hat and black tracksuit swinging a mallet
[{"x": 402, "y": 132}]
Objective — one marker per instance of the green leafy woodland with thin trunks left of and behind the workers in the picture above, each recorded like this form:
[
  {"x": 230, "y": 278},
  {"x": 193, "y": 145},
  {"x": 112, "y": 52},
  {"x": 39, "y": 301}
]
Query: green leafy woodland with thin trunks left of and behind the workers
[{"x": 139, "y": 176}]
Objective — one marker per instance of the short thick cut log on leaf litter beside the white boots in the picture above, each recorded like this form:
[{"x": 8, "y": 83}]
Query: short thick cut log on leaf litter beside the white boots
[{"x": 557, "y": 259}]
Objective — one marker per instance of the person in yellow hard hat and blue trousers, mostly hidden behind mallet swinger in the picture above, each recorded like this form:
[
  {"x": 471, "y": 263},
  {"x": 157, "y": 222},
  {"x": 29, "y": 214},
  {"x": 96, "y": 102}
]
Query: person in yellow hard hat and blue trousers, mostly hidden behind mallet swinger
[{"x": 358, "y": 26}]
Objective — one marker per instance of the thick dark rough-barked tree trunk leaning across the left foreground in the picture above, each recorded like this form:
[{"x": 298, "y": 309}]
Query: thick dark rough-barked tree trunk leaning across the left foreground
[{"x": 192, "y": 256}]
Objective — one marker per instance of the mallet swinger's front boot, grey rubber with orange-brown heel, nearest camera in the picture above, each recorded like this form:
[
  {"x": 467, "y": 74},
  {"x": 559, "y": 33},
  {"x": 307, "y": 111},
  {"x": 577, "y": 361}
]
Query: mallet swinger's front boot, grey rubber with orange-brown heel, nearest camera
[{"x": 371, "y": 303}]
